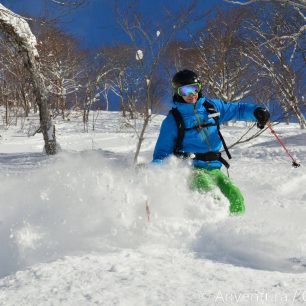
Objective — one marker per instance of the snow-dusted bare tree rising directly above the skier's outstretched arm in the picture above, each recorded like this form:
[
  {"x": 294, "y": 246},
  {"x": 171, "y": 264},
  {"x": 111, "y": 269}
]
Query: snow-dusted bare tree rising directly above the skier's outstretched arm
[{"x": 226, "y": 73}]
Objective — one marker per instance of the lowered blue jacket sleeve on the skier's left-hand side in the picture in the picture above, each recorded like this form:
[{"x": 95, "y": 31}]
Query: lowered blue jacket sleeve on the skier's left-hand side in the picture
[{"x": 166, "y": 140}]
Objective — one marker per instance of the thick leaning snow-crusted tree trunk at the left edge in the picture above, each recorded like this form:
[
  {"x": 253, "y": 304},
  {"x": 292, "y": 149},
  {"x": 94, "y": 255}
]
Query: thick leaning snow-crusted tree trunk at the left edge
[{"x": 17, "y": 32}]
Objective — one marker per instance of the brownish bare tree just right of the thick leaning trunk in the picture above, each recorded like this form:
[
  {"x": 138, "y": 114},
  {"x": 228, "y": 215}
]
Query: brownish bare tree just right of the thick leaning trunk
[{"x": 62, "y": 65}]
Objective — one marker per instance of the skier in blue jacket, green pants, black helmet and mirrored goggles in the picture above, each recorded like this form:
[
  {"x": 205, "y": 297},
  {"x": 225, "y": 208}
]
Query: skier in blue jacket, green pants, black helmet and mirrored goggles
[{"x": 191, "y": 131}]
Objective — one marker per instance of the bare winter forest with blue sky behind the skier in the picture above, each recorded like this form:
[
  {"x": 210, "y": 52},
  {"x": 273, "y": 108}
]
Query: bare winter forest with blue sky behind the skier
[{"x": 96, "y": 55}]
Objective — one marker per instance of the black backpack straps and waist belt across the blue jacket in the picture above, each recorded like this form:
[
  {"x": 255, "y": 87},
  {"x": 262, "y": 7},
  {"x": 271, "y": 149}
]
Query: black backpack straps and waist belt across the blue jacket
[{"x": 210, "y": 156}]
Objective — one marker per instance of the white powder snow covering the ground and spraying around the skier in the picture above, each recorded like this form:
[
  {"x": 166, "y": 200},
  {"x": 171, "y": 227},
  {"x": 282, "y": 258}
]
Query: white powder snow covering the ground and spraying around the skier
[{"x": 74, "y": 228}]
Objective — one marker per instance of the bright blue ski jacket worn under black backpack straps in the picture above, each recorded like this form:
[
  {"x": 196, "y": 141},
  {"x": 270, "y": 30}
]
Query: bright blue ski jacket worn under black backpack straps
[{"x": 201, "y": 140}]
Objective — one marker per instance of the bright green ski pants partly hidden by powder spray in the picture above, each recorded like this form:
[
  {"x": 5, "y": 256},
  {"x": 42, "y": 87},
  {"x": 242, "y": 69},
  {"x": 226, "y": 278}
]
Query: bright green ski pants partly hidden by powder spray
[{"x": 206, "y": 180}]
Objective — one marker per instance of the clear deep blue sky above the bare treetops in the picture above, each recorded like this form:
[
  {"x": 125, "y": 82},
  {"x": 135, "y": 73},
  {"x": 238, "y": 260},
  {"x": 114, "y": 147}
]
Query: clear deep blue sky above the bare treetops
[{"x": 95, "y": 25}]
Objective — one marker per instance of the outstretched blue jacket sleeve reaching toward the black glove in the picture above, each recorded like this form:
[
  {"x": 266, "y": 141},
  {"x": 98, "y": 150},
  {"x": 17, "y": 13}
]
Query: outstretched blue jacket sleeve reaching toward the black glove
[{"x": 235, "y": 111}]
